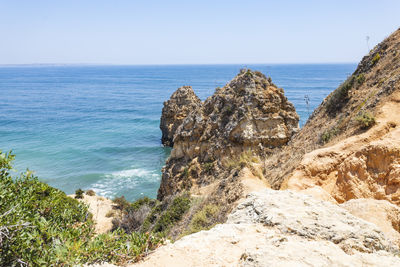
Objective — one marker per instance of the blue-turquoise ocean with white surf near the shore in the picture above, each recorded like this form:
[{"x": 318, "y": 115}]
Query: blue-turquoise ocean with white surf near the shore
[{"x": 98, "y": 126}]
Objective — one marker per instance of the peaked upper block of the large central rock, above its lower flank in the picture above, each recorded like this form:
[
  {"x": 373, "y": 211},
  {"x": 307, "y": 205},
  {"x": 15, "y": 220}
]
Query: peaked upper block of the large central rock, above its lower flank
[{"x": 249, "y": 111}]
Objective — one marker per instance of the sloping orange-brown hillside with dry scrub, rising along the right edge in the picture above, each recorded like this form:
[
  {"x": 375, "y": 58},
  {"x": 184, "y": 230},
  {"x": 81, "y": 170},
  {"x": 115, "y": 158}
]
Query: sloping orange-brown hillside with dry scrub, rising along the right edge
[{"x": 370, "y": 92}]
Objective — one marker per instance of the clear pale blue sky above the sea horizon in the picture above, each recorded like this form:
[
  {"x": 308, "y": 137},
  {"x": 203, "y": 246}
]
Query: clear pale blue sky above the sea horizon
[{"x": 181, "y": 32}]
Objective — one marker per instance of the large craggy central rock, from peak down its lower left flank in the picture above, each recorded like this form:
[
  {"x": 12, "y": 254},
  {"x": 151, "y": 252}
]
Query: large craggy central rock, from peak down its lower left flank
[{"x": 249, "y": 113}]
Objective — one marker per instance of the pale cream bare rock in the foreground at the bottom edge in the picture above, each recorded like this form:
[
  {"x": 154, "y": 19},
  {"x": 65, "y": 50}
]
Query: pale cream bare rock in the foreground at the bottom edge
[{"x": 282, "y": 228}]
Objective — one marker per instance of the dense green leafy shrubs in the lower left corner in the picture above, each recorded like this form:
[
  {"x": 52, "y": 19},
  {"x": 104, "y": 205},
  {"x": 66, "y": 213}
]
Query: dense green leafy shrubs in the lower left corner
[{"x": 42, "y": 226}]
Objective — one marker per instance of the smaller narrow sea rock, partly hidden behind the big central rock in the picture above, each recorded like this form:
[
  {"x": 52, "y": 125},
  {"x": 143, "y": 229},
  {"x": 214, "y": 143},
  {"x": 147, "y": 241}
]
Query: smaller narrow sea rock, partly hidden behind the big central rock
[{"x": 182, "y": 102}]
